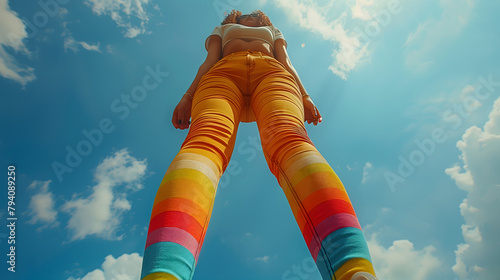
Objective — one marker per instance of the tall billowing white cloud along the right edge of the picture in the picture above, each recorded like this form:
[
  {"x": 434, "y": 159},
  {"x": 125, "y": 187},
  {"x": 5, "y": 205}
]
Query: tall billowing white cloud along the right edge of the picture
[{"x": 479, "y": 177}]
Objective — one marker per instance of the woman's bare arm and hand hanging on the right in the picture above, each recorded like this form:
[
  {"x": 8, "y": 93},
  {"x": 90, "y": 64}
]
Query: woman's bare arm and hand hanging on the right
[{"x": 311, "y": 112}]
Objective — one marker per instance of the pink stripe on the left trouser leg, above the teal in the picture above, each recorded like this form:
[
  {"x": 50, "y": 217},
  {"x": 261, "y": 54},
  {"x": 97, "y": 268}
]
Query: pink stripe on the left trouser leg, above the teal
[{"x": 173, "y": 234}]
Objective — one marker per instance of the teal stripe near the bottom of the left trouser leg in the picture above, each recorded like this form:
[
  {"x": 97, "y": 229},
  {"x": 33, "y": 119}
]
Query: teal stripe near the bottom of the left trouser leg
[{"x": 168, "y": 257}]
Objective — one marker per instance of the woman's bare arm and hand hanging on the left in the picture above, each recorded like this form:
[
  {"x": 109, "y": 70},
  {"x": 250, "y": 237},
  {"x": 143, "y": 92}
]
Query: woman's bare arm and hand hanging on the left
[{"x": 182, "y": 112}]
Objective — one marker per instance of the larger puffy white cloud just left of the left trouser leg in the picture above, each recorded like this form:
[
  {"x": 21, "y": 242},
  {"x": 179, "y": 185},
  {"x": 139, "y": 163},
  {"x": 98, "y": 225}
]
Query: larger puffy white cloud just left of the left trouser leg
[{"x": 101, "y": 212}]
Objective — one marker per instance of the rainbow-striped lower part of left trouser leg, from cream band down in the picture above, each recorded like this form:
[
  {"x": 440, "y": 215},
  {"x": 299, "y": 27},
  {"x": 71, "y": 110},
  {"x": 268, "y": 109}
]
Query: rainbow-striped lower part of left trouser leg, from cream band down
[{"x": 180, "y": 217}]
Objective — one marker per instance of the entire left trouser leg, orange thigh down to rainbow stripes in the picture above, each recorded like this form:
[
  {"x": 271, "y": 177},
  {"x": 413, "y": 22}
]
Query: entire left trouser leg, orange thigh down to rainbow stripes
[{"x": 184, "y": 201}]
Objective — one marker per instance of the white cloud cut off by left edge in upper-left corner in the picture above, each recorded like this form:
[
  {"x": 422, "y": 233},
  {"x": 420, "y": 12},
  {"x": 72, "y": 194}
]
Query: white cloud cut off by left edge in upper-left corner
[{"x": 12, "y": 33}]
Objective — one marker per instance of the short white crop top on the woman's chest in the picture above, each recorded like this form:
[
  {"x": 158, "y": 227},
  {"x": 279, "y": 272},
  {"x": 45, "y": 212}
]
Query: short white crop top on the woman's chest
[{"x": 231, "y": 31}]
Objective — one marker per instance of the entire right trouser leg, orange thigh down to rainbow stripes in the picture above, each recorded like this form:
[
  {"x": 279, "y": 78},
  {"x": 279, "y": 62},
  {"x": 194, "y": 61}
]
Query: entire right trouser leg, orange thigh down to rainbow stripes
[{"x": 316, "y": 195}]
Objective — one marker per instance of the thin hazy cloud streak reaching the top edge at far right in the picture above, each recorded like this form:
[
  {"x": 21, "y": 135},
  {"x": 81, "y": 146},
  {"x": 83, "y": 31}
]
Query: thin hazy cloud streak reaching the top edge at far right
[{"x": 434, "y": 32}]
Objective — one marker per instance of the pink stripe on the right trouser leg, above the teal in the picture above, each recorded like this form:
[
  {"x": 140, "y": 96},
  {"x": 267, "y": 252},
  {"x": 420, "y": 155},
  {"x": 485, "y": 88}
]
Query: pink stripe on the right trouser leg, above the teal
[{"x": 328, "y": 226}]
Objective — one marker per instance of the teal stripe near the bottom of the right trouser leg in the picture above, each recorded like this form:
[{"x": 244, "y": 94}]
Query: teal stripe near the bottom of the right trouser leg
[{"x": 340, "y": 246}]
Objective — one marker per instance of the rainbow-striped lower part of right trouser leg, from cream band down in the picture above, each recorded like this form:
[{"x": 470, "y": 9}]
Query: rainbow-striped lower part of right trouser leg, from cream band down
[{"x": 325, "y": 216}]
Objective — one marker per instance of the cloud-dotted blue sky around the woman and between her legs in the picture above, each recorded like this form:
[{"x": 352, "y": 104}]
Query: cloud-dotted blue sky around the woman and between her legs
[{"x": 410, "y": 97}]
